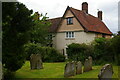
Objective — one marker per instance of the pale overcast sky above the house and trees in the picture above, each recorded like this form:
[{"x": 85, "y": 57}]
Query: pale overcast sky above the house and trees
[{"x": 56, "y": 8}]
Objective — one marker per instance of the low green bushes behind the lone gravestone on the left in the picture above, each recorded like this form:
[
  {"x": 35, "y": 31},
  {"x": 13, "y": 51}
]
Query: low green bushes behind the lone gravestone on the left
[{"x": 48, "y": 54}]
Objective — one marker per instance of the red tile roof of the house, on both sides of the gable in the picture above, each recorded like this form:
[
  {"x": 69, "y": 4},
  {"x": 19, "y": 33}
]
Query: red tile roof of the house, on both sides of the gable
[{"x": 88, "y": 22}]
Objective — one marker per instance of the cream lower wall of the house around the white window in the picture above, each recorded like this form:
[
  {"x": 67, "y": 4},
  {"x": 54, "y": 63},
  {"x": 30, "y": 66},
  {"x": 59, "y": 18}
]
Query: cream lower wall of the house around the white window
[{"x": 61, "y": 42}]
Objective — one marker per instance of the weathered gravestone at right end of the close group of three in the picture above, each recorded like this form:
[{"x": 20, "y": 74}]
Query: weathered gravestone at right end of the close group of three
[{"x": 88, "y": 64}]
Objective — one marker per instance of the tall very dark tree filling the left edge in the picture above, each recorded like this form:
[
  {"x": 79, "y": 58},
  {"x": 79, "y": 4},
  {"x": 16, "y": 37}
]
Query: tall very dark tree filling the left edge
[{"x": 17, "y": 22}]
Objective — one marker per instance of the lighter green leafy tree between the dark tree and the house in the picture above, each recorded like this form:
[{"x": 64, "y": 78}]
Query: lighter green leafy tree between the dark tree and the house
[{"x": 40, "y": 30}]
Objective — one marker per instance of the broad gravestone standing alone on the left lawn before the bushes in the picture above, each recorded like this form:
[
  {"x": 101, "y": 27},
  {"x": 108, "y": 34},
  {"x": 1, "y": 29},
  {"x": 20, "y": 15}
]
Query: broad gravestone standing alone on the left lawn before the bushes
[{"x": 36, "y": 61}]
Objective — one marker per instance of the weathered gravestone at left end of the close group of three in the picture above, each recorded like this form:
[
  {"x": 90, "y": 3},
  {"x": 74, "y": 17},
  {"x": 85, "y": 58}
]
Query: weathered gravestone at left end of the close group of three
[{"x": 70, "y": 69}]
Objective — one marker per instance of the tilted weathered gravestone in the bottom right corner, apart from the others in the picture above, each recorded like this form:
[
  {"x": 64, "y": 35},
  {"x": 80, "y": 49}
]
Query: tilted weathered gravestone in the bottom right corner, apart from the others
[{"x": 106, "y": 72}]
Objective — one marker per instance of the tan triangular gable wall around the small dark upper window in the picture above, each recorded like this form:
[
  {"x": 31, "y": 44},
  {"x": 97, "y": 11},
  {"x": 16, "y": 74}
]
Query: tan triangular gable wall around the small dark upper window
[{"x": 63, "y": 27}]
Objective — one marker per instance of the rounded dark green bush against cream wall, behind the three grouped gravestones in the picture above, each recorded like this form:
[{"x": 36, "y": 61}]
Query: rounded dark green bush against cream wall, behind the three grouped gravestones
[{"x": 79, "y": 51}]
